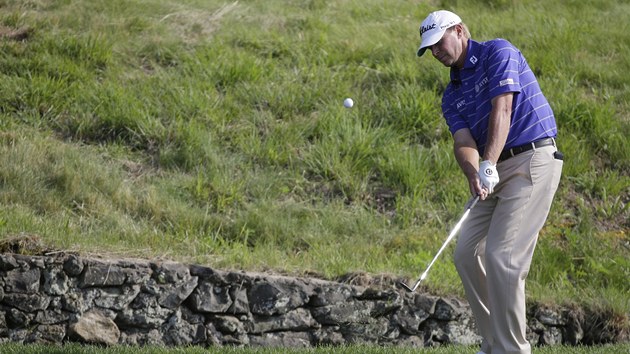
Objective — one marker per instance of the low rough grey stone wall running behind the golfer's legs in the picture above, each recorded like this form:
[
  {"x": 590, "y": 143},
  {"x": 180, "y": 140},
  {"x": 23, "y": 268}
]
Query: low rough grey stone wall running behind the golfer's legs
[{"x": 66, "y": 298}]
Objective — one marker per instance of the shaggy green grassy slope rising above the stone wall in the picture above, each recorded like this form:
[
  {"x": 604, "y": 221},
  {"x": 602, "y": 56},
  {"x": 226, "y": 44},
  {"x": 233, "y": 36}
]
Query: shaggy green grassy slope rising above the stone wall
[{"x": 213, "y": 132}]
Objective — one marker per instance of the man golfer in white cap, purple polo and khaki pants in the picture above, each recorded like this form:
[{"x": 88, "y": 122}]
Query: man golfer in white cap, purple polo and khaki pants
[{"x": 504, "y": 141}]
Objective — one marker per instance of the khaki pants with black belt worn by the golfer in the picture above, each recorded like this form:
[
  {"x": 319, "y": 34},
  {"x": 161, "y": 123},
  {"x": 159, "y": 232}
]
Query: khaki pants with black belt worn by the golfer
[{"x": 496, "y": 245}]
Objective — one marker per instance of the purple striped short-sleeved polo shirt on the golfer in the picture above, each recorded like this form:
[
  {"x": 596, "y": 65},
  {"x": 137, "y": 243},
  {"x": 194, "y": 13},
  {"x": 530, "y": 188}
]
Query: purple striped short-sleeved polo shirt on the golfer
[{"x": 492, "y": 68}]
